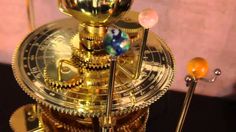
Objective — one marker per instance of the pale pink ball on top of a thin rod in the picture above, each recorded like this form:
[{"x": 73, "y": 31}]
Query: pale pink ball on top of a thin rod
[{"x": 148, "y": 18}]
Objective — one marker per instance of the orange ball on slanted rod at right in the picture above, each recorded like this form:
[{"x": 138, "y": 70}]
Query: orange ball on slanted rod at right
[{"x": 197, "y": 67}]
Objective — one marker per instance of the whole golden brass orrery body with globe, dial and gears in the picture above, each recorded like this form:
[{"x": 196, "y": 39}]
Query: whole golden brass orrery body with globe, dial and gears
[{"x": 63, "y": 67}]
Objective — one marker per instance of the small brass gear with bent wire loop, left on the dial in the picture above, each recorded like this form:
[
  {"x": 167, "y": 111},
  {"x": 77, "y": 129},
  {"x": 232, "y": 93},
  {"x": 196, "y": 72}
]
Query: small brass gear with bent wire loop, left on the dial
[{"x": 67, "y": 83}]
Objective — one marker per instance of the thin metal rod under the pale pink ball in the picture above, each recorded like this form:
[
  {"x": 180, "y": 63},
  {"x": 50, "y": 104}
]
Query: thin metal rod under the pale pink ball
[{"x": 141, "y": 54}]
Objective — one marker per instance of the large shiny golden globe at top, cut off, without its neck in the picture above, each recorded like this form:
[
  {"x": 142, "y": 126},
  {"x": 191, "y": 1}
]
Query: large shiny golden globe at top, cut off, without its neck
[{"x": 95, "y": 12}]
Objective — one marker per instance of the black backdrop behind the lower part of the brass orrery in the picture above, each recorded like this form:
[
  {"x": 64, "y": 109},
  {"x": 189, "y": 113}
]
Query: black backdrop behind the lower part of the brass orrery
[{"x": 206, "y": 114}]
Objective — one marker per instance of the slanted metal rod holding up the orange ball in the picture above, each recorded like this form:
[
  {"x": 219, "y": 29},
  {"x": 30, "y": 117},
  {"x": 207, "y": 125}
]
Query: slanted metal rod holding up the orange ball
[{"x": 186, "y": 104}]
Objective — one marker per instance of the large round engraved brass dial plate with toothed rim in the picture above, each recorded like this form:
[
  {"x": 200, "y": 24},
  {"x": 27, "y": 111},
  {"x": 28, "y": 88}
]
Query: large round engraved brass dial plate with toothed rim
[{"x": 51, "y": 43}]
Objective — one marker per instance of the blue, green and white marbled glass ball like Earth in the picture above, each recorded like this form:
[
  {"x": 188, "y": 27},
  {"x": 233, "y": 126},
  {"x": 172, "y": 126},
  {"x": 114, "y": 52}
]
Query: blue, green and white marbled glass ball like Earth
[{"x": 116, "y": 42}]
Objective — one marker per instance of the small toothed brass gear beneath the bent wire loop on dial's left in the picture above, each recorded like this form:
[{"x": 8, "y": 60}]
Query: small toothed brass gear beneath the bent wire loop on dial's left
[{"x": 70, "y": 78}]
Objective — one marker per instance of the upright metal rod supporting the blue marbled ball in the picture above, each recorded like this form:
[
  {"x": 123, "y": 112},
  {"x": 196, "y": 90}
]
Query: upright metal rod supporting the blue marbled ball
[{"x": 111, "y": 85}]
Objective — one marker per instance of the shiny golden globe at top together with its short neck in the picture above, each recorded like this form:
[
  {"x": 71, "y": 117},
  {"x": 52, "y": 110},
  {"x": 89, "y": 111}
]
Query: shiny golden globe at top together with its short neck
[{"x": 94, "y": 15}]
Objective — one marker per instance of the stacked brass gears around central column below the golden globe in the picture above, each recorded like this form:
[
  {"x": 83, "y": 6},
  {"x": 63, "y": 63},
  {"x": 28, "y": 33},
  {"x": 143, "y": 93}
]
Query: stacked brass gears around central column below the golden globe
[{"x": 91, "y": 58}]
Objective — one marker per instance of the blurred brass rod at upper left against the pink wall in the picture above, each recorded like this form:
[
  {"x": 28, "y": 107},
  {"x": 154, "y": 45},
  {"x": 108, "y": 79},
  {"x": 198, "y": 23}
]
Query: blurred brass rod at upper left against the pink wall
[{"x": 30, "y": 14}]
